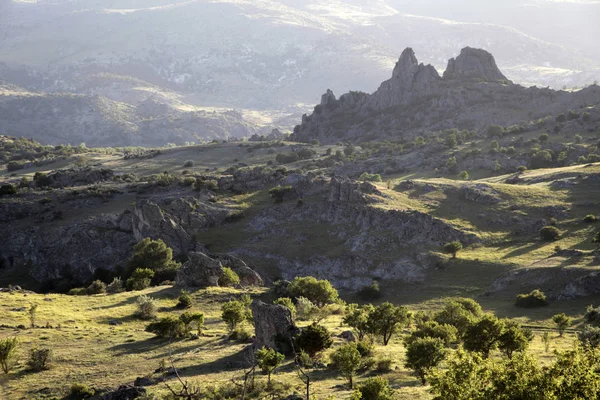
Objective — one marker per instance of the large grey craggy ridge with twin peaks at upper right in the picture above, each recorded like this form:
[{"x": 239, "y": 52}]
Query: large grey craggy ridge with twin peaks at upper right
[{"x": 472, "y": 94}]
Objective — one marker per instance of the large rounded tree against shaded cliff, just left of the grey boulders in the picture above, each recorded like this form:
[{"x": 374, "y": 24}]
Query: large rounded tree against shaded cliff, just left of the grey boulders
[{"x": 154, "y": 255}]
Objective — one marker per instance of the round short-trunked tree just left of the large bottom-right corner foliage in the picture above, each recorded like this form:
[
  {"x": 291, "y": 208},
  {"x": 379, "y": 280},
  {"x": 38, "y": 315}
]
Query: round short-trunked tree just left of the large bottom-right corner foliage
[{"x": 423, "y": 354}]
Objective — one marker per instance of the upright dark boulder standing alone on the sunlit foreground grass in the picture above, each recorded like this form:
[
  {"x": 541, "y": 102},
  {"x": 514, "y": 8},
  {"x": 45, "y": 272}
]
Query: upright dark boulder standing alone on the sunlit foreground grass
[{"x": 274, "y": 327}]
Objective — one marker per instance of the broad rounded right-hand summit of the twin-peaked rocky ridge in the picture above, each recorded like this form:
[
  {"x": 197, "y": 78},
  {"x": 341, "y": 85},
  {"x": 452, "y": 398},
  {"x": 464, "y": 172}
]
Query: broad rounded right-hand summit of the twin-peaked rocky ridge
[{"x": 473, "y": 64}]
